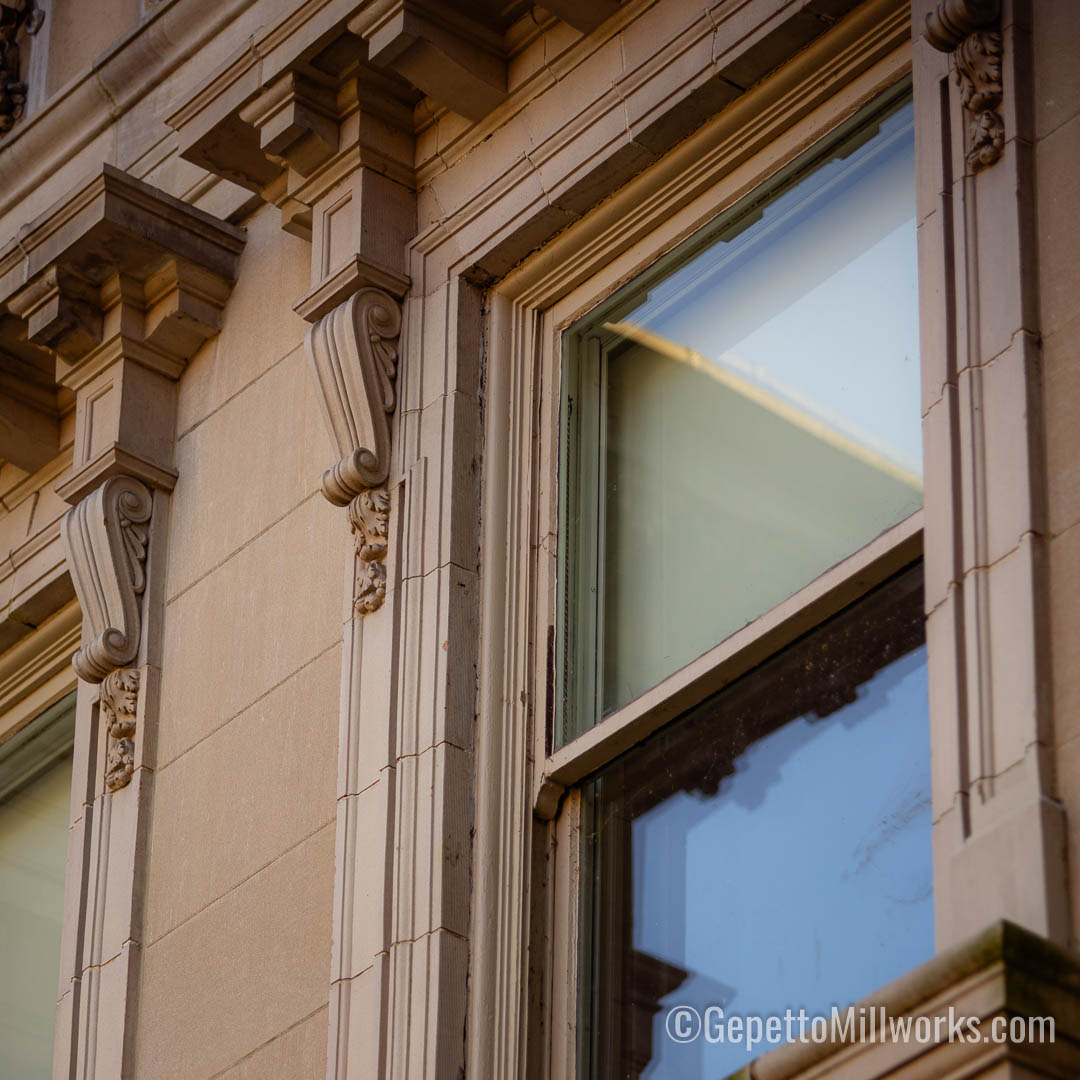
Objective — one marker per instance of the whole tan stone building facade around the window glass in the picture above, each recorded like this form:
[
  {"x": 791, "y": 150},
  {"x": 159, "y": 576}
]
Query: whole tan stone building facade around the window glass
[{"x": 287, "y": 290}]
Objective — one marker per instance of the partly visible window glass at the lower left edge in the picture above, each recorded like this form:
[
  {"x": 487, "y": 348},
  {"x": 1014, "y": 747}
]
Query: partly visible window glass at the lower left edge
[{"x": 35, "y": 805}]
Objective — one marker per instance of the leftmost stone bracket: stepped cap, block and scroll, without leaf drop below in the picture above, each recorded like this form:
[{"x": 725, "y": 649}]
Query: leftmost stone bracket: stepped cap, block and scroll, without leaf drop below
[{"x": 103, "y": 300}]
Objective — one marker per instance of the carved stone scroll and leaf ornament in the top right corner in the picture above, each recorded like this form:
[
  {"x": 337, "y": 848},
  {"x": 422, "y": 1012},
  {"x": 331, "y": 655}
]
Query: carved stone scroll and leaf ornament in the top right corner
[{"x": 967, "y": 29}]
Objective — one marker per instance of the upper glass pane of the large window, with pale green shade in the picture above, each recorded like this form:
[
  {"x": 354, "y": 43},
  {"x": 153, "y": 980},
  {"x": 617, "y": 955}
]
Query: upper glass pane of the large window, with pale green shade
[{"x": 741, "y": 418}]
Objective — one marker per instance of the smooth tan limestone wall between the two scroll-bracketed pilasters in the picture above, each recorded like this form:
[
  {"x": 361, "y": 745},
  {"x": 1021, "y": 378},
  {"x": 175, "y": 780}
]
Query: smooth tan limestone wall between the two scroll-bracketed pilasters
[{"x": 238, "y": 914}]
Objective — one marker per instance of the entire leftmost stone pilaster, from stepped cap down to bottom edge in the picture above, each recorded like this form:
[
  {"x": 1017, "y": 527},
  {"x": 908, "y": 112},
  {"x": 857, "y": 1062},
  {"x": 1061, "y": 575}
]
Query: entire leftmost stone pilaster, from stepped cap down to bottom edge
[{"x": 115, "y": 289}]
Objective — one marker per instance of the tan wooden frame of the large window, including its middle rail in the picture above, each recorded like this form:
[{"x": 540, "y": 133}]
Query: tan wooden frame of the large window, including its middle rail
[{"x": 528, "y": 803}]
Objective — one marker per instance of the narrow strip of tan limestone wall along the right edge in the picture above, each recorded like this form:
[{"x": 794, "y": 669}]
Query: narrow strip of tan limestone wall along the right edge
[{"x": 1056, "y": 31}]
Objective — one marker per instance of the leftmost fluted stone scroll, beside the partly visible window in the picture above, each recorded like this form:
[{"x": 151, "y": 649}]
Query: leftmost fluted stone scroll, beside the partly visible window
[{"x": 105, "y": 539}]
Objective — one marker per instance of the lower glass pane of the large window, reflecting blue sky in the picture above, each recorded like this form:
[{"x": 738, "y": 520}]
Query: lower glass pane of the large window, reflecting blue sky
[{"x": 768, "y": 852}]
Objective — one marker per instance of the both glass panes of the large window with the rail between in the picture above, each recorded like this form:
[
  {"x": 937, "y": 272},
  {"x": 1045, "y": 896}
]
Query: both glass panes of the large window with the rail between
[{"x": 741, "y": 667}]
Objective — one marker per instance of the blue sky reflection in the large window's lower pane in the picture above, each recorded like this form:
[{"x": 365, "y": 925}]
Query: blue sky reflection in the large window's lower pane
[{"x": 806, "y": 881}]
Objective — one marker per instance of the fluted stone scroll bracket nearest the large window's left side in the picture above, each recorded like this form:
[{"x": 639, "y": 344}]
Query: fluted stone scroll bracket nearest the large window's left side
[{"x": 354, "y": 354}]
